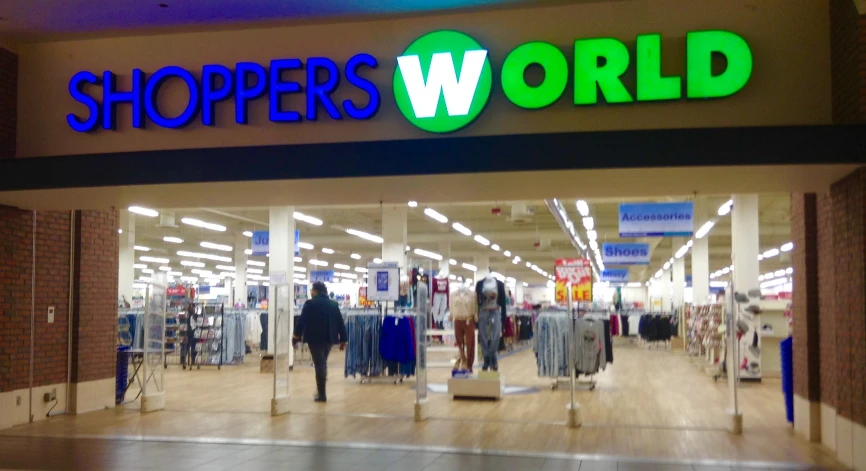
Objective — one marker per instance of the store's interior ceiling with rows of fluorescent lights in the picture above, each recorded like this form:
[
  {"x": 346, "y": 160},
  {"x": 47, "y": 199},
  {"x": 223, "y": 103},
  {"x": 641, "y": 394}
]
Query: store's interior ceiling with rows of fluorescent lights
[{"x": 525, "y": 229}]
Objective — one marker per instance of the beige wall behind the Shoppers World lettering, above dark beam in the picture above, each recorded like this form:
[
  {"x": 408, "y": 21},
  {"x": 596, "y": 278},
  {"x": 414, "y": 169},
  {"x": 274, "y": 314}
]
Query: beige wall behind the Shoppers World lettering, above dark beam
[{"x": 790, "y": 84}]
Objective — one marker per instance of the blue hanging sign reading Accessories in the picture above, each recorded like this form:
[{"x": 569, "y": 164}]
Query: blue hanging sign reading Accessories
[{"x": 656, "y": 219}]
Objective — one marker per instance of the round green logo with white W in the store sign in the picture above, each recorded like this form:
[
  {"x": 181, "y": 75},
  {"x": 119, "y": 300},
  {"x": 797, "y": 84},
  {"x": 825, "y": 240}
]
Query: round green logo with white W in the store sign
[{"x": 442, "y": 81}]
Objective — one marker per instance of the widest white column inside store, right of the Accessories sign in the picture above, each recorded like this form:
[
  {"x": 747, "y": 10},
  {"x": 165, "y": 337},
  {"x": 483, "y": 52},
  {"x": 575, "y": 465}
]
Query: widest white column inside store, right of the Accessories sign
[{"x": 744, "y": 240}]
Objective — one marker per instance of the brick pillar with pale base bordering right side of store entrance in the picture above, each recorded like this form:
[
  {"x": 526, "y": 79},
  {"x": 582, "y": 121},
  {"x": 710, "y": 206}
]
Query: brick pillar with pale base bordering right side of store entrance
[{"x": 806, "y": 334}]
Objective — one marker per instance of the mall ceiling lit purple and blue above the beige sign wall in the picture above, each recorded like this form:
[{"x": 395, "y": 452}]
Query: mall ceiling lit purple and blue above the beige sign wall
[{"x": 36, "y": 19}]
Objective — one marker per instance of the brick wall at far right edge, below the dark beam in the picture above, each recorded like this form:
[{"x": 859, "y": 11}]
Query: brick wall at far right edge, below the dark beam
[{"x": 849, "y": 258}]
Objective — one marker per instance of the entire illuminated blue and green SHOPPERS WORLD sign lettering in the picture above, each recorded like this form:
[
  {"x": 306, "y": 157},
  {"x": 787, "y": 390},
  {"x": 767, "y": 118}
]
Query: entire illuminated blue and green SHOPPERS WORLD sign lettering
[{"x": 441, "y": 83}]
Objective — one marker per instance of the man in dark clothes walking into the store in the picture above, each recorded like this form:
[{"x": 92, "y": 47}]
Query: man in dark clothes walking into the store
[{"x": 321, "y": 326}]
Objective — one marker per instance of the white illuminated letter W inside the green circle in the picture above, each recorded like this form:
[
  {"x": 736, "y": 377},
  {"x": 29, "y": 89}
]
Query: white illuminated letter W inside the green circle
[{"x": 442, "y": 78}]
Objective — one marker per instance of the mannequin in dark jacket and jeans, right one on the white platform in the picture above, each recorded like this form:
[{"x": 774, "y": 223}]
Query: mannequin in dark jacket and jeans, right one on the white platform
[{"x": 491, "y": 312}]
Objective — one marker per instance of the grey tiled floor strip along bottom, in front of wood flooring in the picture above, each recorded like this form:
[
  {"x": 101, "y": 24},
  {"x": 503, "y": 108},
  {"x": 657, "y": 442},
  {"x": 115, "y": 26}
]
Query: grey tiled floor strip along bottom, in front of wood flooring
[{"x": 36, "y": 453}]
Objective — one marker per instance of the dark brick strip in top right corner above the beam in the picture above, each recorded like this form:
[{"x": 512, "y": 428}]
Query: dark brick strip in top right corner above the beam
[{"x": 848, "y": 59}]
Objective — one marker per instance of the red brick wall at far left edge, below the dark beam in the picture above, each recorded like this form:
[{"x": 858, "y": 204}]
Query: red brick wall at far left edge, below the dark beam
[{"x": 52, "y": 289}]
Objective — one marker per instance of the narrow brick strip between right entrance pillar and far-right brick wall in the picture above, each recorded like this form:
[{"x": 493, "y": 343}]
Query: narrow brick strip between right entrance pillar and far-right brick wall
[{"x": 827, "y": 299}]
